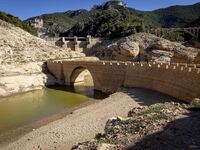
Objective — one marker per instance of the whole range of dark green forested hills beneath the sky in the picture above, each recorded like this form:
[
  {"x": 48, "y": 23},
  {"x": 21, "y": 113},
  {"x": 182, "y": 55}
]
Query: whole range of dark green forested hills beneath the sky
[{"x": 111, "y": 18}]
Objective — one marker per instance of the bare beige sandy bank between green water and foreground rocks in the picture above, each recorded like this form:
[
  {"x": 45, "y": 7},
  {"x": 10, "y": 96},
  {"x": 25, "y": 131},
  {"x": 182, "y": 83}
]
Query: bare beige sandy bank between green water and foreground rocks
[{"x": 80, "y": 126}]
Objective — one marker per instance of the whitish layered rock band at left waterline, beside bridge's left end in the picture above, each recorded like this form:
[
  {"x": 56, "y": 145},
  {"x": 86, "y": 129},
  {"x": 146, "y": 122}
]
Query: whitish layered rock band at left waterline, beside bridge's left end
[{"x": 24, "y": 77}]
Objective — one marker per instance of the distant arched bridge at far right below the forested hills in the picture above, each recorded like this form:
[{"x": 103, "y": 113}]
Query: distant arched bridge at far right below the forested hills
[{"x": 193, "y": 31}]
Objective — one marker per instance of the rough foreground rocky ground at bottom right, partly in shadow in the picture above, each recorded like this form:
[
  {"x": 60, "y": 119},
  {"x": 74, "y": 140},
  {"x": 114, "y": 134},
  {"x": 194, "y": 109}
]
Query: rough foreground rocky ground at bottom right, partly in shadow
[{"x": 159, "y": 126}]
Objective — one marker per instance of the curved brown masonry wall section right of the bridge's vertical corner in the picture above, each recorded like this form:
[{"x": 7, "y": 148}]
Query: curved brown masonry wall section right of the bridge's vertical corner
[{"x": 179, "y": 81}]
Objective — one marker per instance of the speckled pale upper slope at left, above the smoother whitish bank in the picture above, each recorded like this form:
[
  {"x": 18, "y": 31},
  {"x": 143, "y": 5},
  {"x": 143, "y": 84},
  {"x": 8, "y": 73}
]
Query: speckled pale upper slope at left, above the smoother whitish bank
[{"x": 18, "y": 46}]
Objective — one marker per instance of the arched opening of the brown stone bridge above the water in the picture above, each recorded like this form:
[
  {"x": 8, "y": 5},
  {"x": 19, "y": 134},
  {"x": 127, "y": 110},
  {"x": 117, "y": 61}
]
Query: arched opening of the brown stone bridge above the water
[{"x": 78, "y": 75}]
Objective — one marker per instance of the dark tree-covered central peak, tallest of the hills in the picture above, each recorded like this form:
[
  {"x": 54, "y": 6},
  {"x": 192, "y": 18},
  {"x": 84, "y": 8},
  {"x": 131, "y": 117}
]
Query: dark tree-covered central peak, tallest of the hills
[{"x": 111, "y": 21}]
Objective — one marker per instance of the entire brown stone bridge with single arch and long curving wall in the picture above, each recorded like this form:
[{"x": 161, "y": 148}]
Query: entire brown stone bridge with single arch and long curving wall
[{"x": 181, "y": 81}]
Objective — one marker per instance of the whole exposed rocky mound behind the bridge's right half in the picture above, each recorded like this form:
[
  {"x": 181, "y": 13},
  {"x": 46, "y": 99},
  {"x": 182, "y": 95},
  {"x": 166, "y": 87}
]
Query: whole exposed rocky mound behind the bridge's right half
[{"x": 150, "y": 47}]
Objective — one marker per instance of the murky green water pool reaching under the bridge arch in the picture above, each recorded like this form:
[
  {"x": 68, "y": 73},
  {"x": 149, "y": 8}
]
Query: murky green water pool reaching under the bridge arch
[{"x": 25, "y": 108}]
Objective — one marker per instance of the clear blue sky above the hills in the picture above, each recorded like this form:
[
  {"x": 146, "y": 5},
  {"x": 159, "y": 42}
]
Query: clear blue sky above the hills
[{"x": 28, "y": 8}]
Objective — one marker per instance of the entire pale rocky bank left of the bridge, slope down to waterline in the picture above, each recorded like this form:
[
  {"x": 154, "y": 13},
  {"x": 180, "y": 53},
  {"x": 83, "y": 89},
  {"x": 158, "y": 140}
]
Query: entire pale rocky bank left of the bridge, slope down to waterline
[{"x": 20, "y": 53}]
